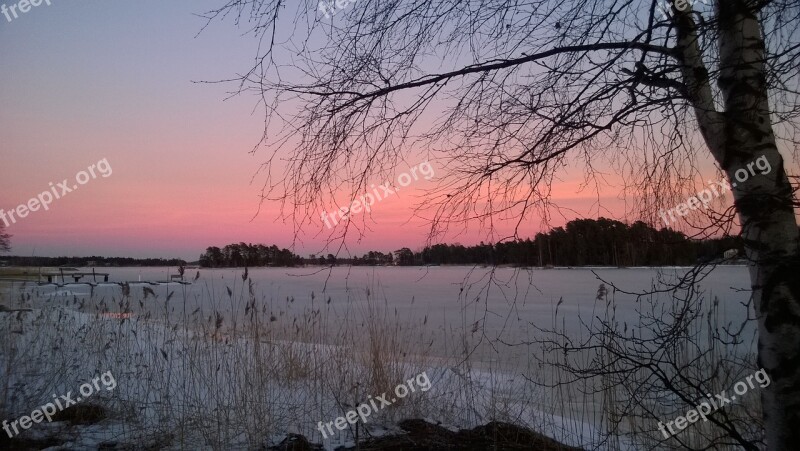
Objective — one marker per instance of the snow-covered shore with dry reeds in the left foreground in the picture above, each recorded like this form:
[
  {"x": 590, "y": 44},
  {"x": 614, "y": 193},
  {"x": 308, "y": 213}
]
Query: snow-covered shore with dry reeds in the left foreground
[{"x": 187, "y": 389}]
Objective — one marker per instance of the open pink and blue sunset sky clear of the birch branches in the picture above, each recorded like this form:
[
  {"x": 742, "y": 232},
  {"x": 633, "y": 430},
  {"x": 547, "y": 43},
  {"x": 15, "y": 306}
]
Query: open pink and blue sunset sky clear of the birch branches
[{"x": 113, "y": 84}]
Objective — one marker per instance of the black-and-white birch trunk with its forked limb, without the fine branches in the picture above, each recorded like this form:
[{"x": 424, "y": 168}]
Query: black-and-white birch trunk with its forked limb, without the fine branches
[{"x": 737, "y": 138}]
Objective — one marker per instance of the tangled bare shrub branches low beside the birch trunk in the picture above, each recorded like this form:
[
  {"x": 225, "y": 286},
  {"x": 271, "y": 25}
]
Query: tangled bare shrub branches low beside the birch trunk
[{"x": 648, "y": 371}]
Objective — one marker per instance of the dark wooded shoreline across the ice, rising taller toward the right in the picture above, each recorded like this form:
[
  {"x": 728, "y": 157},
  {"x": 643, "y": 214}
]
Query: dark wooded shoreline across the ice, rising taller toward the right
[{"x": 582, "y": 242}]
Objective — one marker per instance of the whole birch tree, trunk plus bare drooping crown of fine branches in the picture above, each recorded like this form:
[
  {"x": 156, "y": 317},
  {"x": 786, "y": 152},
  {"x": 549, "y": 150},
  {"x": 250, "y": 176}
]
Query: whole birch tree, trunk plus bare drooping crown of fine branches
[{"x": 505, "y": 94}]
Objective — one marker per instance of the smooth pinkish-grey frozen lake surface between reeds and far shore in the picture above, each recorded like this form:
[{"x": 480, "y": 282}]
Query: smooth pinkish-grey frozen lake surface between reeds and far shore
[{"x": 488, "y": 306}]
